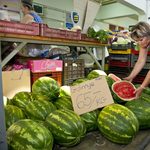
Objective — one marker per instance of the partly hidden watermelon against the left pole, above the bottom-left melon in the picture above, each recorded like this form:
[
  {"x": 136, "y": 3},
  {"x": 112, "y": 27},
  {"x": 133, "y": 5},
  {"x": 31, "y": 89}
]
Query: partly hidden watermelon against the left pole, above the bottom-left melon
[{"x": 12, "y": 115}]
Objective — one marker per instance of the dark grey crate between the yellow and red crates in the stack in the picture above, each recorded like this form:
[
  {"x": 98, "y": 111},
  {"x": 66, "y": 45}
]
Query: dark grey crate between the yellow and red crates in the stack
[{"x": 120, "y": 57}]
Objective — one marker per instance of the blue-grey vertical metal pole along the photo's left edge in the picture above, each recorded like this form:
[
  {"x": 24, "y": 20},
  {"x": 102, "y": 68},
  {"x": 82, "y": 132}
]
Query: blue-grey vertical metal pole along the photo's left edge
[{"x": 3, "y": 139}]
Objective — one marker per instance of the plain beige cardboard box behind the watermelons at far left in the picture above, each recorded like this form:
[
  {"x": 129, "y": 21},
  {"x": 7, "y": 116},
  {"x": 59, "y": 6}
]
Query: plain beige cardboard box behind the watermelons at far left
[{"x": 15, "y": 81}]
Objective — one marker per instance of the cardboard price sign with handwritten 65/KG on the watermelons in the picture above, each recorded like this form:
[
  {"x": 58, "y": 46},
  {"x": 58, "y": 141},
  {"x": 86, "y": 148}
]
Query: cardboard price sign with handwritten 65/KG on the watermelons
[{"x": 90, "y": 95}]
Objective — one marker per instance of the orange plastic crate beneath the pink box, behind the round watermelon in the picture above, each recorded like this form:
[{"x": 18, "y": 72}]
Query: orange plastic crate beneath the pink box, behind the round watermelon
[{"x": 56, "y": 75}]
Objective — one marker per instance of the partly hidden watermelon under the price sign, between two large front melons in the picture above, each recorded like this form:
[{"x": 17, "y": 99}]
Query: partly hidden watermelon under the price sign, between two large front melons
[{"x": 90, "y": 119}]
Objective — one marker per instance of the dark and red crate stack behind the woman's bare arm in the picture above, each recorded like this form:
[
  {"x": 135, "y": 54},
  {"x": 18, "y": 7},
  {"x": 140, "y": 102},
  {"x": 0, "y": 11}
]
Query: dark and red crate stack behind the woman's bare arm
[{"x": 141, "y": 76}]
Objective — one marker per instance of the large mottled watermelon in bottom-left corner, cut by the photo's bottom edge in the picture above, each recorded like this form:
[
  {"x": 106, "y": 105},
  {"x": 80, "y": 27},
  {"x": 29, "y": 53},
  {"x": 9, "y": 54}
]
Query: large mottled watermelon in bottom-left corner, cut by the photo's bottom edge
[{"x": 28, "y": 135}]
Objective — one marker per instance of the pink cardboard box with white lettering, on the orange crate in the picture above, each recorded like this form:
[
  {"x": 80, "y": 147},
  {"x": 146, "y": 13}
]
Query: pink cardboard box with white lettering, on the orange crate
[{"x": 45, "y": 65}]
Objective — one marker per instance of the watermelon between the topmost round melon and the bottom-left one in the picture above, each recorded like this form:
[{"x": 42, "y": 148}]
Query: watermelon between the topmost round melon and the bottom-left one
[{"x": 38, "y": 110}]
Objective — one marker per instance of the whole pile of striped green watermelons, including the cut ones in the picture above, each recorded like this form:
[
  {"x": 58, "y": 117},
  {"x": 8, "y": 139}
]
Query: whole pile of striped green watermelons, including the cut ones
[{"x": 45, "y": 116}]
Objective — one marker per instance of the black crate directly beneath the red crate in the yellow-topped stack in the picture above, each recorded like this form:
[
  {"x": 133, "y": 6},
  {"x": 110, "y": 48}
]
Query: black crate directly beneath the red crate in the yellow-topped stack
[{"x": 120, "y": 70}]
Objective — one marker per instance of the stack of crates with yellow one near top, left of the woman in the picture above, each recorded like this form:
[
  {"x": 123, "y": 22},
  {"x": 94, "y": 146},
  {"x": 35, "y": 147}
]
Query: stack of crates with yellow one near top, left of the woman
[{"x": 120, "y": 59}]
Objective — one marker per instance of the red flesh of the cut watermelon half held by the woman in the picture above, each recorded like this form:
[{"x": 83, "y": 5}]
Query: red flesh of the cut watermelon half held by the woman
[{"x": 124, "y": 90}]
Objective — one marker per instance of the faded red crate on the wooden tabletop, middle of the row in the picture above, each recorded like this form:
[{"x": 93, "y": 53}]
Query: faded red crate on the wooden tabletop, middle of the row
[{"x": 59, "y": 33}]
